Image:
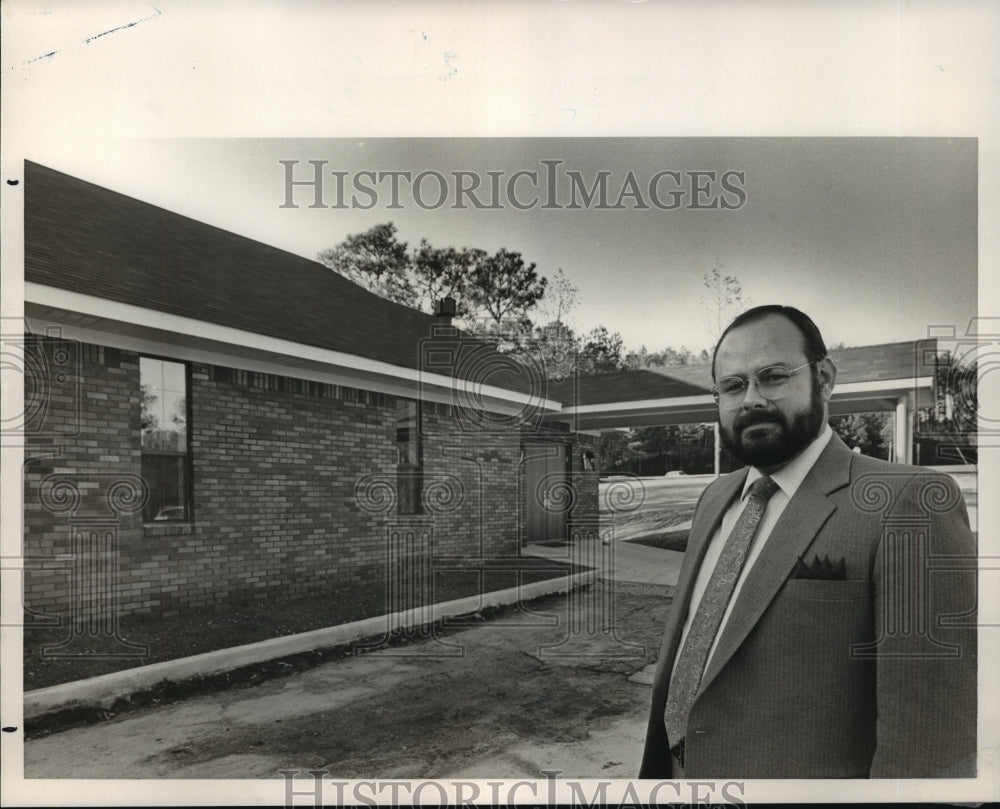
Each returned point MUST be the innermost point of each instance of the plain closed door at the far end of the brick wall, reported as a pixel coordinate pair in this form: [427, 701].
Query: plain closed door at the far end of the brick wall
[546, 492]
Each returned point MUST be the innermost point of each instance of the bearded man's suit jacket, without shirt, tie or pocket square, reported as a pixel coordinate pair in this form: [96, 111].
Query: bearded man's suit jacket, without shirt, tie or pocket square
[872, 676]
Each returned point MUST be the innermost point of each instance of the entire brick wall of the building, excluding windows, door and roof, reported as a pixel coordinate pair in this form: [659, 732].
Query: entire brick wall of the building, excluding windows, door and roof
[293, 490]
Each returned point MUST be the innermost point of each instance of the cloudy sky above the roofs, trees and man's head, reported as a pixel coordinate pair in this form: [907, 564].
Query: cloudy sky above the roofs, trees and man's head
[875, 237]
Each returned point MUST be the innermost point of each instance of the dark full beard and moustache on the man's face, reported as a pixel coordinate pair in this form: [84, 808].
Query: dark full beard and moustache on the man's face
[776, 448]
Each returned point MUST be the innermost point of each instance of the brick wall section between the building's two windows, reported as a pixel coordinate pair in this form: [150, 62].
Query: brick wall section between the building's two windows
[275, 466]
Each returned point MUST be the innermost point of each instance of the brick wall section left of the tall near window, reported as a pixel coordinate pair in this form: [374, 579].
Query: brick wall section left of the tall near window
[81, 470]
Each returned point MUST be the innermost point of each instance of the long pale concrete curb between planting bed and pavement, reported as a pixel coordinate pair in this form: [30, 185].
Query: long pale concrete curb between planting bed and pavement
[103, 690]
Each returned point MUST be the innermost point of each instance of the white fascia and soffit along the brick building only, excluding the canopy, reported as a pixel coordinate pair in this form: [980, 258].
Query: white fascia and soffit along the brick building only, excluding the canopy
[93, 319]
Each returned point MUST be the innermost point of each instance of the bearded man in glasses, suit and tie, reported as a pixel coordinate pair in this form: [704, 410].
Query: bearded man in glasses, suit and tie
[823, 620]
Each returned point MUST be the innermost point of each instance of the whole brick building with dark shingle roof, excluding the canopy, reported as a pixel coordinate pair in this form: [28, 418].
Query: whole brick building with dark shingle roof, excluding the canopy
[210, 418]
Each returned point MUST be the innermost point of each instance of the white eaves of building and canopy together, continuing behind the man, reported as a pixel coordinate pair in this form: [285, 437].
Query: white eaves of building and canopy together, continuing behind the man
[93, 319]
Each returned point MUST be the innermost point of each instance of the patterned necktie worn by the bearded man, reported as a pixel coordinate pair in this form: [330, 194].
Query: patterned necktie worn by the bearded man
[708, 617]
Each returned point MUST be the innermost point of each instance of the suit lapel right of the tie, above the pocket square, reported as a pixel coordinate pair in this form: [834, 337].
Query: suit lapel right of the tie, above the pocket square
[795, 530]
